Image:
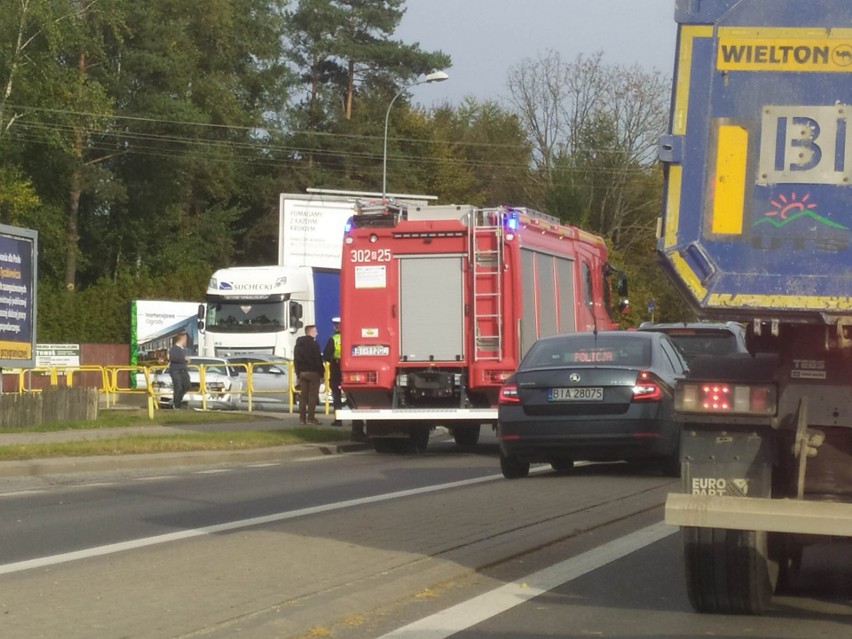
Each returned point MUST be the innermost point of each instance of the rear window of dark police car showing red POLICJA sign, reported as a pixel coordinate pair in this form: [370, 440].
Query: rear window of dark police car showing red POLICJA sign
[588, 351]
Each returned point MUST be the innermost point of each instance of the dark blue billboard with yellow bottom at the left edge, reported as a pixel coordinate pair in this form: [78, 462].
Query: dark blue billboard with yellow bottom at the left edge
[18, 273]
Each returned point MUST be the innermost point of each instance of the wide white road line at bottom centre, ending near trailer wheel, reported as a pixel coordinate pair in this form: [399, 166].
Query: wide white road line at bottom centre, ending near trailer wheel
[490, 604]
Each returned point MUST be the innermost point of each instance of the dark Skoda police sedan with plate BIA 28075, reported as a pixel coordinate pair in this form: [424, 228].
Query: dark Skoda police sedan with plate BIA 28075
[601, 396]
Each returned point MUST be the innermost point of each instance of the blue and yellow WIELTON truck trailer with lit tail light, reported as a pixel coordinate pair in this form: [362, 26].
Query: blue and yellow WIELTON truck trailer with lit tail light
[756, 227]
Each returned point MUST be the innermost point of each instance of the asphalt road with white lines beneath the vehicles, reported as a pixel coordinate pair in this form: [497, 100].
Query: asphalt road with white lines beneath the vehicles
[361, 546]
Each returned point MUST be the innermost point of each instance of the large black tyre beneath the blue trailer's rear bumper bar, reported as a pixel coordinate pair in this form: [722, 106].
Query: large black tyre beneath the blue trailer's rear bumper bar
[728, 571]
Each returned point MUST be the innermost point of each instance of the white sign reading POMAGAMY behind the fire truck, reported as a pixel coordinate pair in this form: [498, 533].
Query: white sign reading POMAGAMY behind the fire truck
[311, 231]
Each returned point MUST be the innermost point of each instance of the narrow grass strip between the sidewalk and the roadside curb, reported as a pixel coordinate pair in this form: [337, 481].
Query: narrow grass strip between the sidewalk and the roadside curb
[188, 442]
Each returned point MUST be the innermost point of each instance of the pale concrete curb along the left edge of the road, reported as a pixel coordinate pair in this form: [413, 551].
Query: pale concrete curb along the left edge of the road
[66, 465]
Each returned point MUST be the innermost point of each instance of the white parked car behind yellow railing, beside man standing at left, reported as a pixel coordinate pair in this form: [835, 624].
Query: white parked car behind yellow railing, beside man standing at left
[222, 381]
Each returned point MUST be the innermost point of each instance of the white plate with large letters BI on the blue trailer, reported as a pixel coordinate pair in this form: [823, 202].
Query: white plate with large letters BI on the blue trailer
[805, 144]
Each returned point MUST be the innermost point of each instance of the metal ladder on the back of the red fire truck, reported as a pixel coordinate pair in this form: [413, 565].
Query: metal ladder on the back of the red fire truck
[485, 244]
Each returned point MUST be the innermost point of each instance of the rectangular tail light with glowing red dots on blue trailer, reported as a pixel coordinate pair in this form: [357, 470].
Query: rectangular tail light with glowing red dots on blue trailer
[725, 397]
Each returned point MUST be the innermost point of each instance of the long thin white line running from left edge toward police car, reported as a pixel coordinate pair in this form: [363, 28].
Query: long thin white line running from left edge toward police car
[99, 551]
